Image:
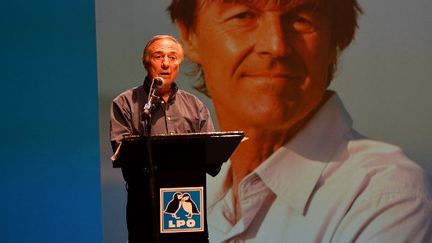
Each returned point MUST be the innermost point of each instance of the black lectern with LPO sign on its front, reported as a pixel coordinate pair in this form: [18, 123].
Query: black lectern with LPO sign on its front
[167, 202]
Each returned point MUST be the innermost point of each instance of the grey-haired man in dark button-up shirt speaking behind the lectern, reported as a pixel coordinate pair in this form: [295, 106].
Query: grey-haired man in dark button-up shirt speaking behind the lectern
[169, 109]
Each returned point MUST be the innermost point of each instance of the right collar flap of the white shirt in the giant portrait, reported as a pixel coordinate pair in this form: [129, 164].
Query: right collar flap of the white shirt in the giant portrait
[293, 171]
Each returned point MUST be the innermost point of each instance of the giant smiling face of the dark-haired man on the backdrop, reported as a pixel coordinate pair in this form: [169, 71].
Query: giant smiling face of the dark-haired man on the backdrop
[263, 63]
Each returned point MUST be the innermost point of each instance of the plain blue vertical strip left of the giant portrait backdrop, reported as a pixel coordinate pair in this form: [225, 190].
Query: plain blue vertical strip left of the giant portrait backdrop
[49, 151]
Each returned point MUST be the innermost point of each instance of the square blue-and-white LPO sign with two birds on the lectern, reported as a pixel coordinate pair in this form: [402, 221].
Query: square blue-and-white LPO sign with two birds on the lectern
[182, 209]
